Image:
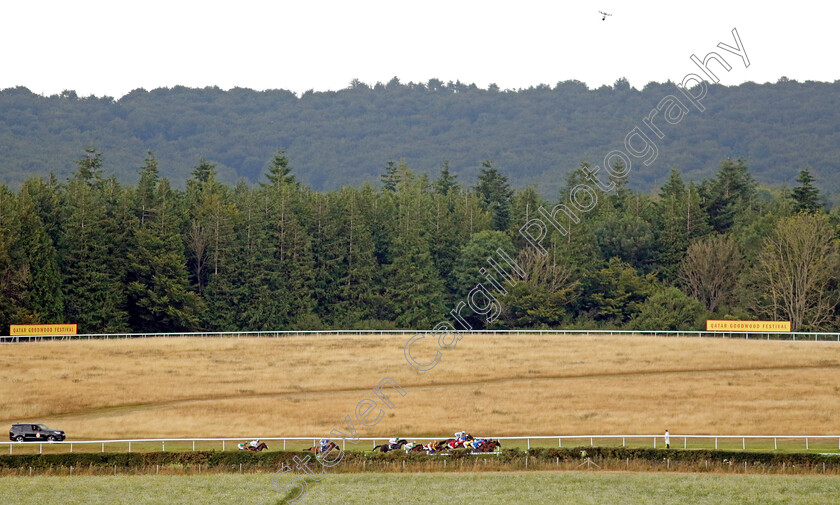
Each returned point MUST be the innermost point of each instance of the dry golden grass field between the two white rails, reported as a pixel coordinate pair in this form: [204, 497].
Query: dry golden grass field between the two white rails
[498, 385]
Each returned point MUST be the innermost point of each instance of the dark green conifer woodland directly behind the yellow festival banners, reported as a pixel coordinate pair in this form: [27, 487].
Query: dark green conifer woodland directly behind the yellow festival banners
[147, 257]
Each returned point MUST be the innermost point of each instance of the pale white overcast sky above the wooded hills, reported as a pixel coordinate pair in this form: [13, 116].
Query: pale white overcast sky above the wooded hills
[110, 48]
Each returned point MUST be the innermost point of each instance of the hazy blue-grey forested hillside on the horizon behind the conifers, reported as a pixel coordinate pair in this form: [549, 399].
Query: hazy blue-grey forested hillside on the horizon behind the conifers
[538, 135]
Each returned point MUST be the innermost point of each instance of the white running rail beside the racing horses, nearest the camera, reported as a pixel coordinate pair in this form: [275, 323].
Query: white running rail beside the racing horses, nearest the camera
[653, 438]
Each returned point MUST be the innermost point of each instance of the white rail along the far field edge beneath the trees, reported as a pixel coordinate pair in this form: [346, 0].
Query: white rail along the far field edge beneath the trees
[810, 336]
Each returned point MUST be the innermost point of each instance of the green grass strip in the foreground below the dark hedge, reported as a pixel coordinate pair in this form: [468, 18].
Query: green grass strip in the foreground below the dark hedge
[450, 489]
